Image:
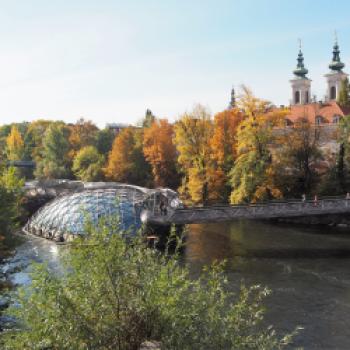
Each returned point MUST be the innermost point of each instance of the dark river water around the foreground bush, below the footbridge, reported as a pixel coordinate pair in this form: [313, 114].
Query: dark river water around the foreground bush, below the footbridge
[307, 269]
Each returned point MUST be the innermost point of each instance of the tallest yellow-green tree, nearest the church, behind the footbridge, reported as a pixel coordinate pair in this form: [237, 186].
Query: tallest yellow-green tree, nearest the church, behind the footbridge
[251, 177]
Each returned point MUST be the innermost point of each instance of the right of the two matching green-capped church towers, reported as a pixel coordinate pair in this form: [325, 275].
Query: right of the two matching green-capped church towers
[336, 74]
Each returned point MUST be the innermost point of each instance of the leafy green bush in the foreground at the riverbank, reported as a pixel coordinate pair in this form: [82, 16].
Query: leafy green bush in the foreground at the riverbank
[118, 293]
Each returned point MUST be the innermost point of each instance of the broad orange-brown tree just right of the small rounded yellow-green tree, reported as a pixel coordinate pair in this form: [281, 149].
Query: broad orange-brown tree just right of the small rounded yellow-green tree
[126, 161]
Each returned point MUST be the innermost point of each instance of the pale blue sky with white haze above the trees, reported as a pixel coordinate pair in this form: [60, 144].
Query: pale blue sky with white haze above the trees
[108, 61]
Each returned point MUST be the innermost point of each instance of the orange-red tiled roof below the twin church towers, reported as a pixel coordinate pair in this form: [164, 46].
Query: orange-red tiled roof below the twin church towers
[325, 110]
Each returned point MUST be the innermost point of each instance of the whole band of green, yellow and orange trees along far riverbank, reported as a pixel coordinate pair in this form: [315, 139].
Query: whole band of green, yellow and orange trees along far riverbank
[242, 154]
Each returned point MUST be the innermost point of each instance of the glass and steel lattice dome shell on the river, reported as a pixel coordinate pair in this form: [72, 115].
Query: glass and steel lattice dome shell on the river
[68, 214]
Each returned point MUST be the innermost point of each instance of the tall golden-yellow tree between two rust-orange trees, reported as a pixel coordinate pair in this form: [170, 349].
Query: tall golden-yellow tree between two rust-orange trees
[193, 133]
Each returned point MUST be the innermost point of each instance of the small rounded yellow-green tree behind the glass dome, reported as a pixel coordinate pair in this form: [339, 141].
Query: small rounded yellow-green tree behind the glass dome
[87, 164]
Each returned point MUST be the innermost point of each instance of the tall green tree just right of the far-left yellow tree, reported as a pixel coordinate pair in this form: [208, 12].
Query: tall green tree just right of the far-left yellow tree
[54, 161]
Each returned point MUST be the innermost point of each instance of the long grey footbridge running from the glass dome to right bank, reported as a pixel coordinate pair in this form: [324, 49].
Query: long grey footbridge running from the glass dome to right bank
[330, 206]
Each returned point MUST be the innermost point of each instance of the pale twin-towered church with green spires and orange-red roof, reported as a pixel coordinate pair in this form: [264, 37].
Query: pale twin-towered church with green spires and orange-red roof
[319, 113]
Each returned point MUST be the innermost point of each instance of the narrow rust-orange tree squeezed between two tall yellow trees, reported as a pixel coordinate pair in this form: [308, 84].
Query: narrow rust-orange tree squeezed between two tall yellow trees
[223, 151]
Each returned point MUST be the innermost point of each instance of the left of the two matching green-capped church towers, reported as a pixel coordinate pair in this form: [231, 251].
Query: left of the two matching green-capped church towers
[301, 84]
